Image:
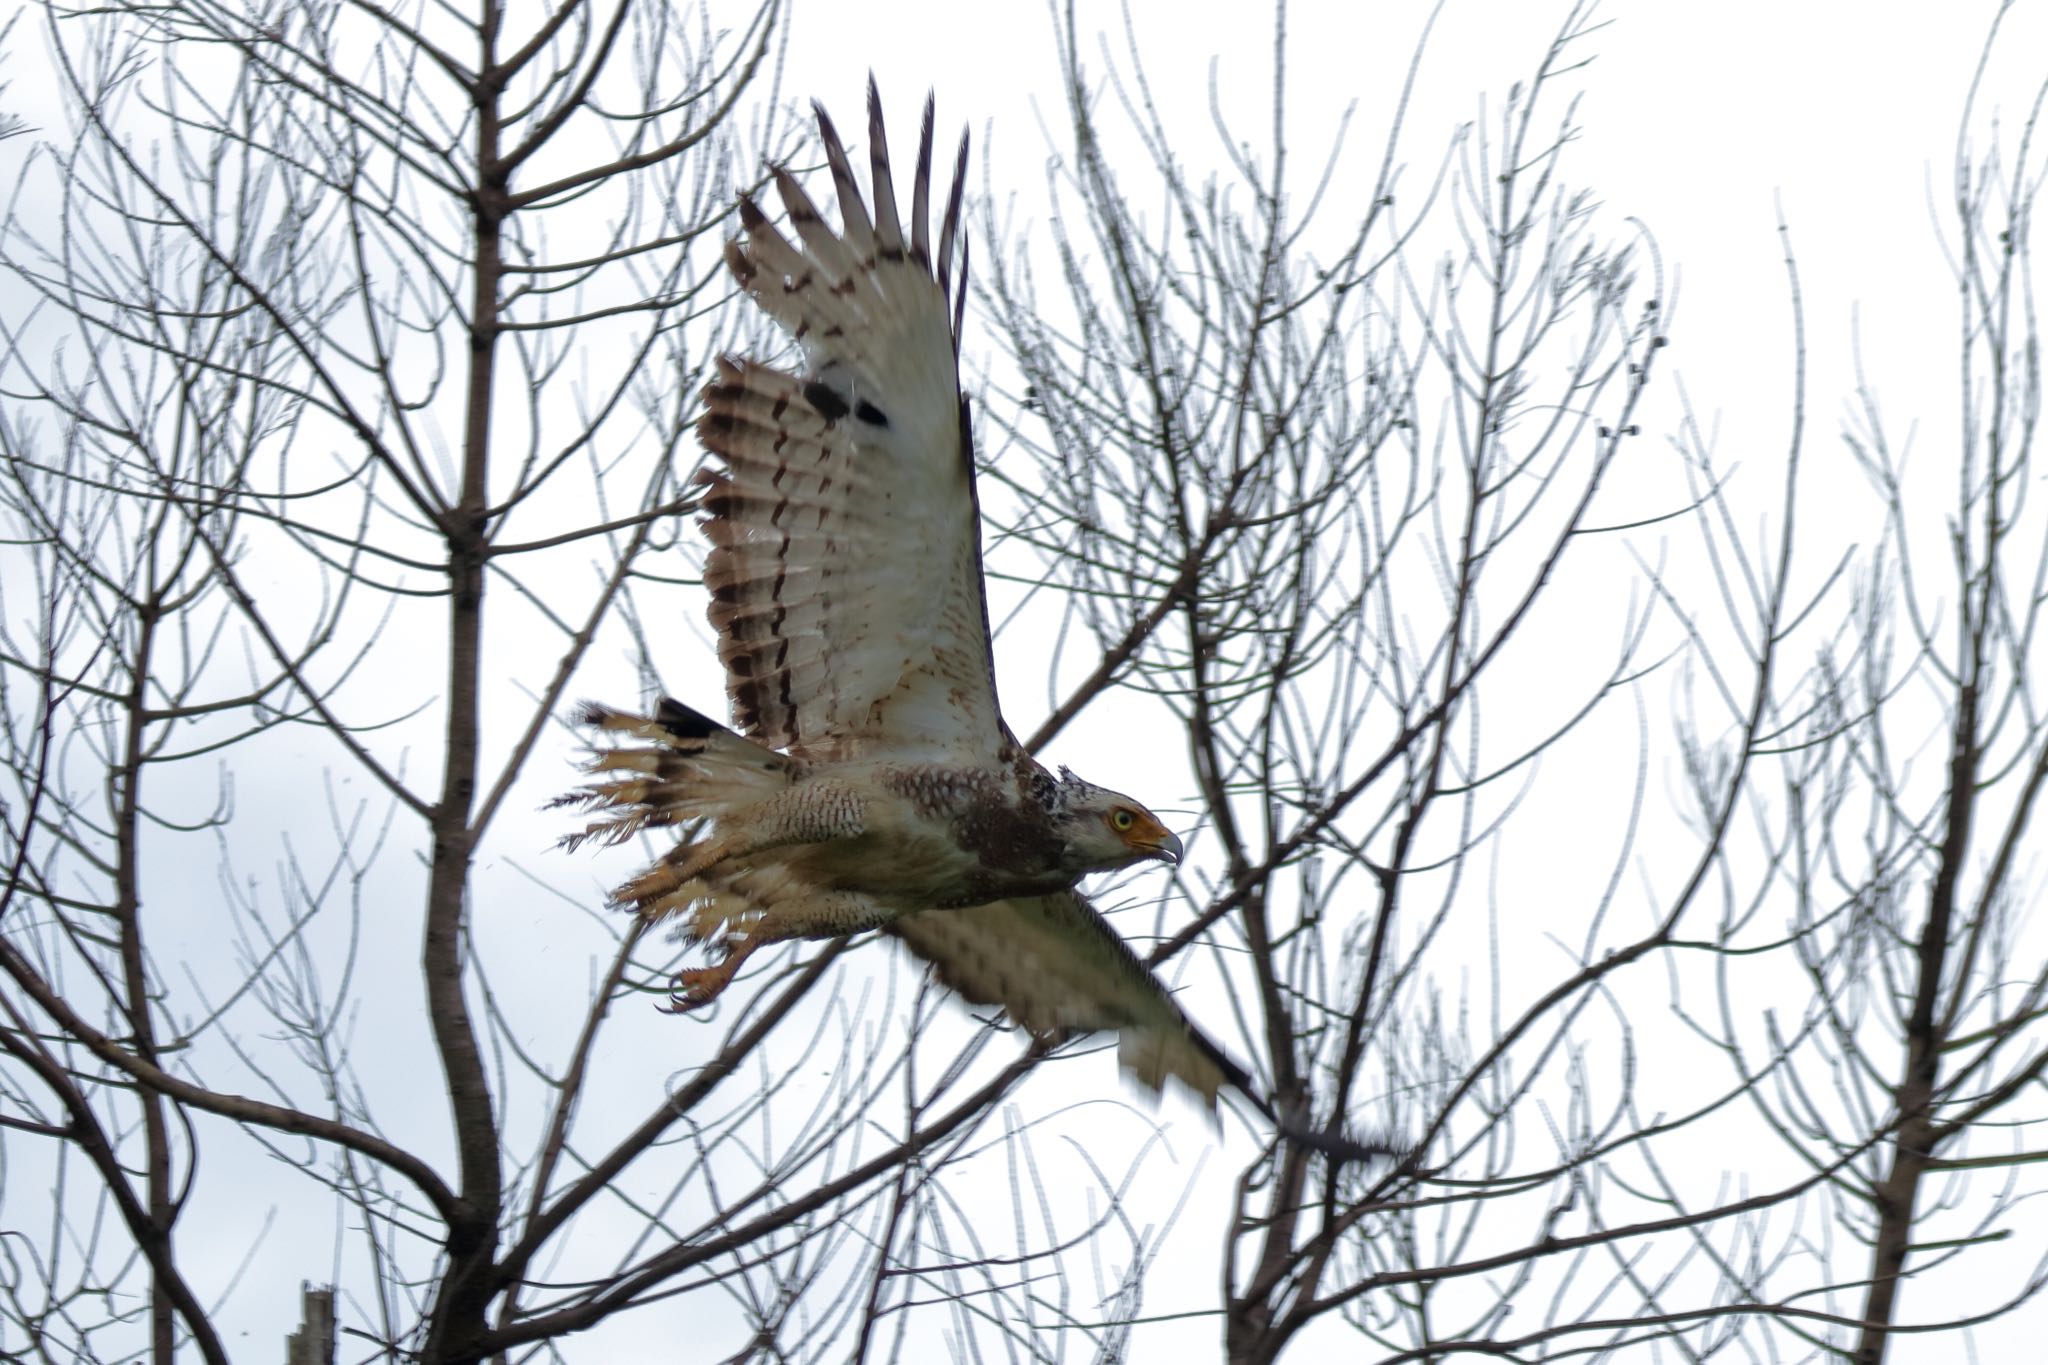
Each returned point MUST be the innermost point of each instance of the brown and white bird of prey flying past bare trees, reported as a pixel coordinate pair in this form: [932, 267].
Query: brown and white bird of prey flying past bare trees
[871, 781]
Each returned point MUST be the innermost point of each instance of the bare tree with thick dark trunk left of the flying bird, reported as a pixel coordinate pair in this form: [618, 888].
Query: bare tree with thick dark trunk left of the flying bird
[347, 406]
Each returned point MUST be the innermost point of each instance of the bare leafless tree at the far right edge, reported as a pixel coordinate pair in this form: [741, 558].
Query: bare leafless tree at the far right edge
[1912, 809]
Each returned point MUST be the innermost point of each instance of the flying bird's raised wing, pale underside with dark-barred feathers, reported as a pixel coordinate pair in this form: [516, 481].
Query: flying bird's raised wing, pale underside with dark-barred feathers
[847, 552]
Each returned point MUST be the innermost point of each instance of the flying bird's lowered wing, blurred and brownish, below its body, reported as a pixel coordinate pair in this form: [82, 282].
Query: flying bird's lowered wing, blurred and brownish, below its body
[1058, 967]
